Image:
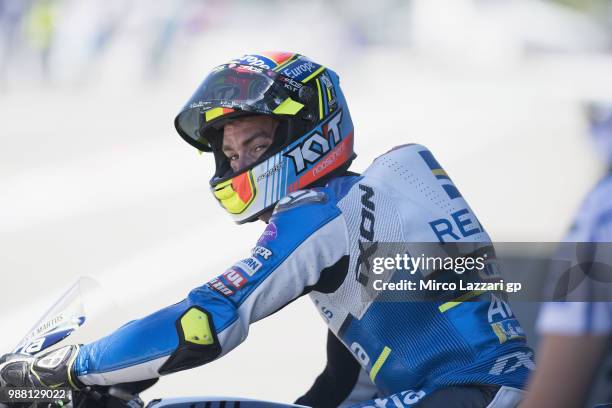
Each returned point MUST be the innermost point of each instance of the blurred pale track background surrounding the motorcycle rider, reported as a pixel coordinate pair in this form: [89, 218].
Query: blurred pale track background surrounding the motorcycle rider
[94, 180]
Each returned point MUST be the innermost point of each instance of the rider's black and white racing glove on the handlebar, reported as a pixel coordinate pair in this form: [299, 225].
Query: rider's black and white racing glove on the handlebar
[50, 369]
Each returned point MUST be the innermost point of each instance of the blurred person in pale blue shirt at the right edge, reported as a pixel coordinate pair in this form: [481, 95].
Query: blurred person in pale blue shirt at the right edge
[577, 334]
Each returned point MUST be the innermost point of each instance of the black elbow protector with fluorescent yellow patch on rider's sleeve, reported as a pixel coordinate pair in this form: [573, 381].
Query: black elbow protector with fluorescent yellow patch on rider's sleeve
[198, 343]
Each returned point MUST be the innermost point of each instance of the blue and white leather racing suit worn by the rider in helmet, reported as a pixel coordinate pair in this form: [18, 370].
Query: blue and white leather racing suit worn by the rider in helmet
[313, 245]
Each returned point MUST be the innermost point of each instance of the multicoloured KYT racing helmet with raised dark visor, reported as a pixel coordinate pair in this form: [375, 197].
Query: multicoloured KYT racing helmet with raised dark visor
[313, 139]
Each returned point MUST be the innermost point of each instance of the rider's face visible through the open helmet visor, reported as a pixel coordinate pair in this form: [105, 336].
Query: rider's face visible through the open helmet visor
[246, 139]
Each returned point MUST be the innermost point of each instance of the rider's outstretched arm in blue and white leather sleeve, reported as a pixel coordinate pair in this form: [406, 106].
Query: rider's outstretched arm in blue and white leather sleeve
[298, 244]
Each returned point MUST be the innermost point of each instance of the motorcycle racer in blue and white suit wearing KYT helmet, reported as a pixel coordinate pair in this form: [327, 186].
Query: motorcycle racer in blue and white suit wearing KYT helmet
[280, 131]
